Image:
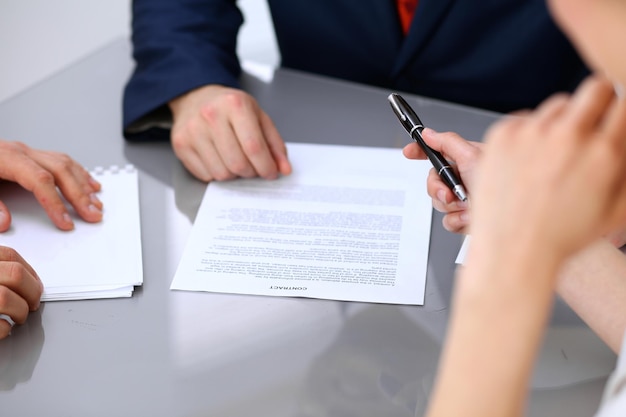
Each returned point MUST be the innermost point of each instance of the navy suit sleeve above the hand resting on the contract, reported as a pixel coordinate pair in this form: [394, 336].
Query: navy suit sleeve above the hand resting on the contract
[178, 45]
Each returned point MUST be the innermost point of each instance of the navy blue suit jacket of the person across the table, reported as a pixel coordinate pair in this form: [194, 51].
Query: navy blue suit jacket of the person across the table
[500, 55]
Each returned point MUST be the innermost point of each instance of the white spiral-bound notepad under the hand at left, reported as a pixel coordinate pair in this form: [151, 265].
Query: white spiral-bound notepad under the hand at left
[95, 260]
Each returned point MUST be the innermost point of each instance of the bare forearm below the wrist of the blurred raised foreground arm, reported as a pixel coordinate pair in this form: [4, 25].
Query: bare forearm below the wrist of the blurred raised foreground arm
[500, 308]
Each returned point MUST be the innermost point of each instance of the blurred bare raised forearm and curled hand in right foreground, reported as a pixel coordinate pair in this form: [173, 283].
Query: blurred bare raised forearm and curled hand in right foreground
[539, 198]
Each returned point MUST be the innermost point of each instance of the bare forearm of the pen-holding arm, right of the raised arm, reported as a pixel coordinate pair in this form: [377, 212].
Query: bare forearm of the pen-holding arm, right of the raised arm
[593, 284]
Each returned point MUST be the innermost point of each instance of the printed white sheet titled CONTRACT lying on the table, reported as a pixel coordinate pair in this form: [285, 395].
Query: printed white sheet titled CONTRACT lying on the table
[350, 223]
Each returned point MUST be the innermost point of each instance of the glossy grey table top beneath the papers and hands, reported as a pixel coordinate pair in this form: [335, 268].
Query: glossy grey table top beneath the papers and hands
[164, 353]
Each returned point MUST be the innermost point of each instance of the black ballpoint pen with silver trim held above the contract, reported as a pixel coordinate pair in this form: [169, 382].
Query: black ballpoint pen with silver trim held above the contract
[414, 127]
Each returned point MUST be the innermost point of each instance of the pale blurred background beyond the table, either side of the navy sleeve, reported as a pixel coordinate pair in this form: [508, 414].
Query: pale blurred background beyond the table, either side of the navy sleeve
[41, 37]
